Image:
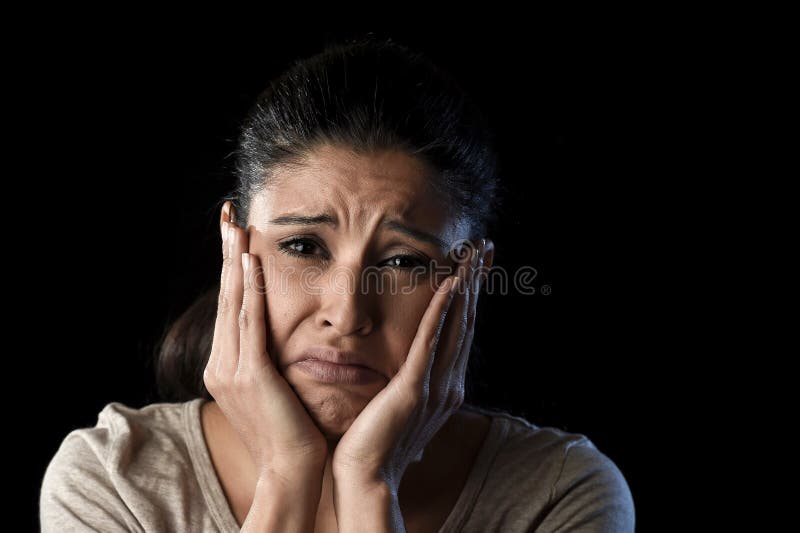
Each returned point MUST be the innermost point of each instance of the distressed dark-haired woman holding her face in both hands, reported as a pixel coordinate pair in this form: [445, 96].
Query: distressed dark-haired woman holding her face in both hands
[328, 392]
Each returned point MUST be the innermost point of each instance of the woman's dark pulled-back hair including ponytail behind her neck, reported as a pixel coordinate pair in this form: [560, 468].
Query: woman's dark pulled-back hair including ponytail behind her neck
[365, 95]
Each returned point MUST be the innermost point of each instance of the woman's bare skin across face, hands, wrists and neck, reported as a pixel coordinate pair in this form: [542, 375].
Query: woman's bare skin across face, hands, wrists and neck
[343, 438]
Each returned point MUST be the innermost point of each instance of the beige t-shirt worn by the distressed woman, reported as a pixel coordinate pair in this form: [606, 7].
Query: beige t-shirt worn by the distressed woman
[149, 470]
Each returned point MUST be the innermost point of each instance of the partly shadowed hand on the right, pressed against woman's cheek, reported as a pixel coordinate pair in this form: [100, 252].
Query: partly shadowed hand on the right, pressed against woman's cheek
[396, 425]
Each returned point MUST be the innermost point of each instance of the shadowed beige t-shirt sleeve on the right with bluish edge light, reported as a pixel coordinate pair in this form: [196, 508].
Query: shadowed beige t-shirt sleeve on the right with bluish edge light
[590, 495]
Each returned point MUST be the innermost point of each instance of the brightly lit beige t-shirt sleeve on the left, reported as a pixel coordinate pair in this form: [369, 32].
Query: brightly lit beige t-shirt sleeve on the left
[77, 493]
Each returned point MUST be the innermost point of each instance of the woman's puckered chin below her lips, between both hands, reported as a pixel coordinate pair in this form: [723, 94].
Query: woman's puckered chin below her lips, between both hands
[333, 408]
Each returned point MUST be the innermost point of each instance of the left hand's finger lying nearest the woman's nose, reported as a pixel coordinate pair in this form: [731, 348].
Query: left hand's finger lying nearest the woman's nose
[252, 324]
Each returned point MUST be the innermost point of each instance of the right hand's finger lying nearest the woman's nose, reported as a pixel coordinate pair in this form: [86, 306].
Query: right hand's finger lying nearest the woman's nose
[416, 369]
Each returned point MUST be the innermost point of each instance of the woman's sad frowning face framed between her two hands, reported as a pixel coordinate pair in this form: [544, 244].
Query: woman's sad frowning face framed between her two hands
[316, 288]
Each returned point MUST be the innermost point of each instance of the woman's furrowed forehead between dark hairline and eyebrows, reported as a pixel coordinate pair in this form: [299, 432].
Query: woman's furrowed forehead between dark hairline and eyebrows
[354, 187]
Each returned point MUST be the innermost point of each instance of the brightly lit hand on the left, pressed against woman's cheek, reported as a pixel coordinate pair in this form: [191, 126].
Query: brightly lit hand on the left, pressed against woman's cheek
[255, 398]
